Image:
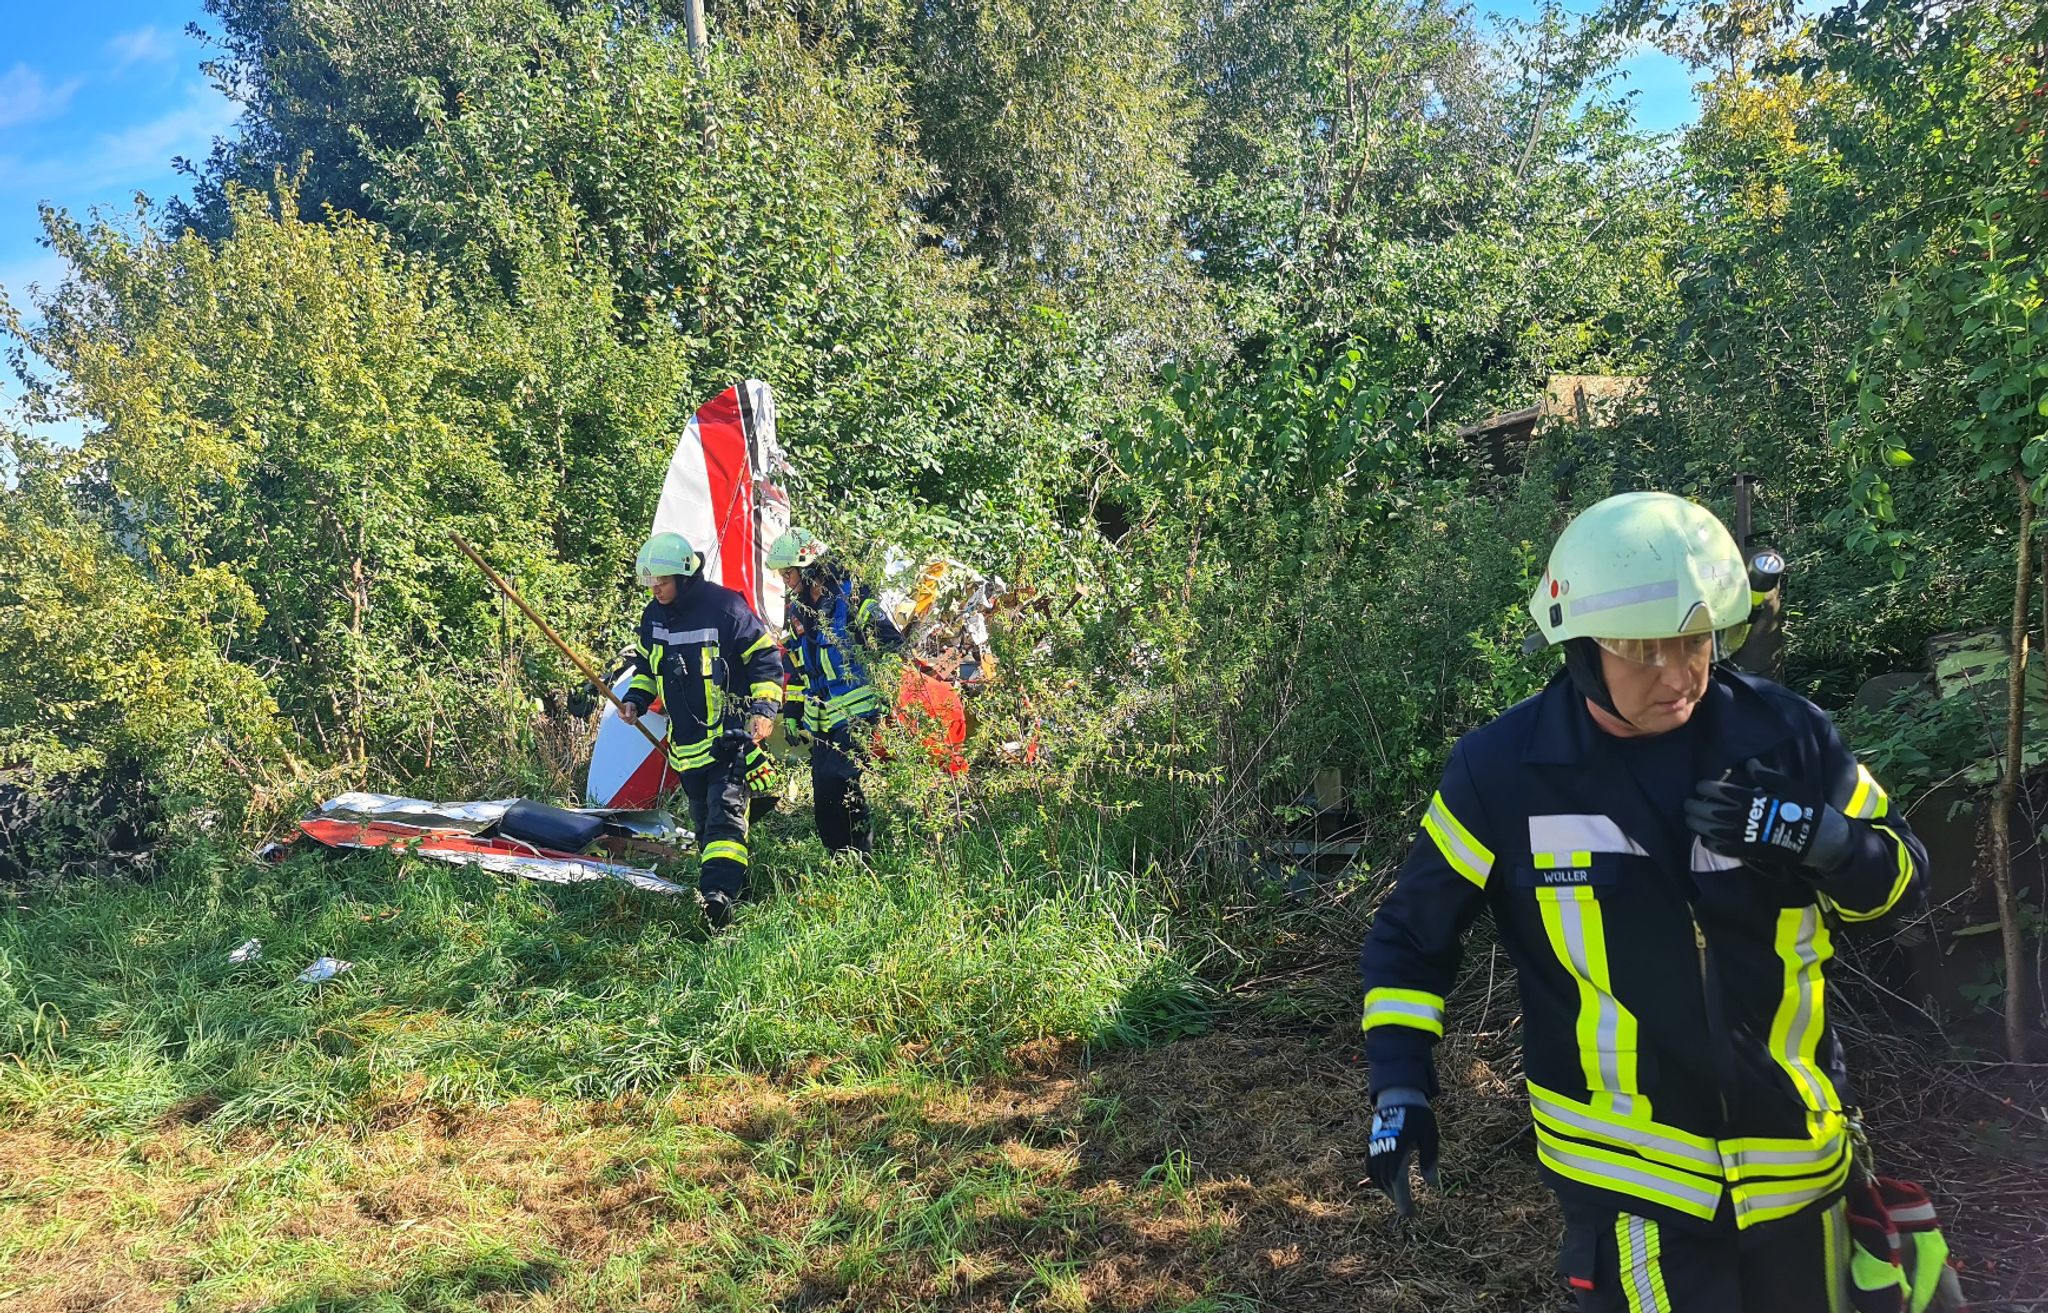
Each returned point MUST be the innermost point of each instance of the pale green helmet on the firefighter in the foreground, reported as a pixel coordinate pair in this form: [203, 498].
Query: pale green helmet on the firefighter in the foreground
[1639, 568]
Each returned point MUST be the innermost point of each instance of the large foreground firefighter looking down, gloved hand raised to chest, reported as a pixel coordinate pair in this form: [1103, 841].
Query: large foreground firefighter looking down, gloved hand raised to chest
[1668, 849]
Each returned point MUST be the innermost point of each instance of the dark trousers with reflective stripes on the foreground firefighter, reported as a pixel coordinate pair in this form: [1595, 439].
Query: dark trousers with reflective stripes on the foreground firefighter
[1629, 1265]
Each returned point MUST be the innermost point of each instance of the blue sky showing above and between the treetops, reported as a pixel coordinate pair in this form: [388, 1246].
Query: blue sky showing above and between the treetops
[97, 101]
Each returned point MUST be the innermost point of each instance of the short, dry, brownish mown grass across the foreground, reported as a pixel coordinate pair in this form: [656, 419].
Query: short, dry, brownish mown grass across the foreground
[1211, 1175]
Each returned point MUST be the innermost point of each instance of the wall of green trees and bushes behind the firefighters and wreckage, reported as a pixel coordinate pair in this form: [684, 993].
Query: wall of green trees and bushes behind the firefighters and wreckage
[1222, 282]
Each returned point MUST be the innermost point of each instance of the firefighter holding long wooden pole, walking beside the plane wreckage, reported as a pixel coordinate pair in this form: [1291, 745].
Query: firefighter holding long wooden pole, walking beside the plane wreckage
[720, 677]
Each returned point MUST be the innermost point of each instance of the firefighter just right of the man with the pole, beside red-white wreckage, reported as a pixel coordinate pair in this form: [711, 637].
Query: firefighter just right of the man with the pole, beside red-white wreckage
[830, 622]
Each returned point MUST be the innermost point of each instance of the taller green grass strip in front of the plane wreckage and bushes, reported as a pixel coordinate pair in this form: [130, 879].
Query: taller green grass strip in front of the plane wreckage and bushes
[120, 1007]
